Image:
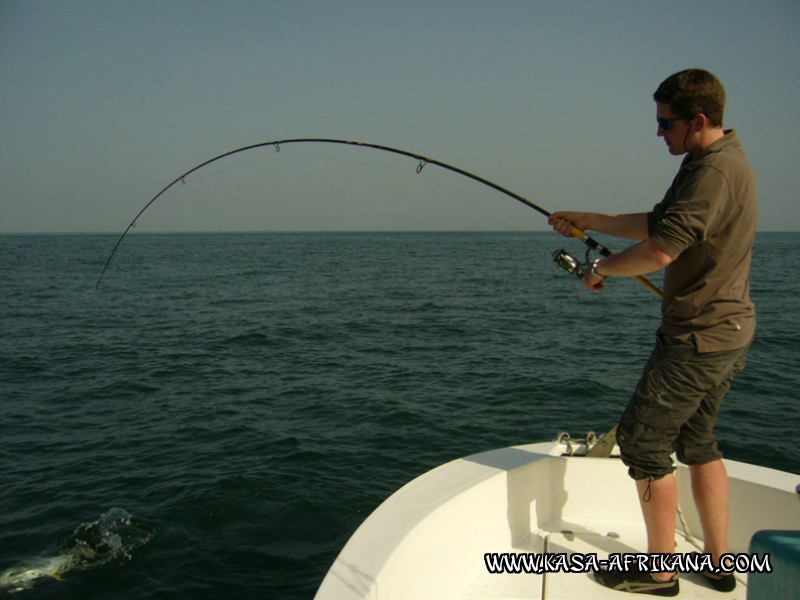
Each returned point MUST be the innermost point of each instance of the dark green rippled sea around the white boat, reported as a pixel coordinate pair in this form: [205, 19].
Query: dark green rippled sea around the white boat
[222, 413]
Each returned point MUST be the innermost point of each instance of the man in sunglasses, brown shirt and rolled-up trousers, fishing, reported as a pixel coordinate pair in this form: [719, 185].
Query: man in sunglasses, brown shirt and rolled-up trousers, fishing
[702, 232]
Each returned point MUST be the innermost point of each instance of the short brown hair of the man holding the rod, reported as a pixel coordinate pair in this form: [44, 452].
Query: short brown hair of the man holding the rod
[692, 92]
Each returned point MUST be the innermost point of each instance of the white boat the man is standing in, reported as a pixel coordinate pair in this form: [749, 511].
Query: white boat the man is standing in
[431, 538]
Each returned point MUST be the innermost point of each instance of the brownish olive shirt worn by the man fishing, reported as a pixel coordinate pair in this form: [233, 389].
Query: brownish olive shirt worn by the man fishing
[706, 223]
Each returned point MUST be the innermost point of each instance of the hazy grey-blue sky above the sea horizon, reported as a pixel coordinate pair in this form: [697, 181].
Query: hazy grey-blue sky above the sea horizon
[104, 102]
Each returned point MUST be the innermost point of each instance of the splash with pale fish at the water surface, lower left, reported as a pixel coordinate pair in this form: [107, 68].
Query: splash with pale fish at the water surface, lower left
[113, 537]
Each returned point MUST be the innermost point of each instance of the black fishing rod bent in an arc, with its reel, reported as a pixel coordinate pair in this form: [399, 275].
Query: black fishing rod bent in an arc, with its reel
[561, 257]
